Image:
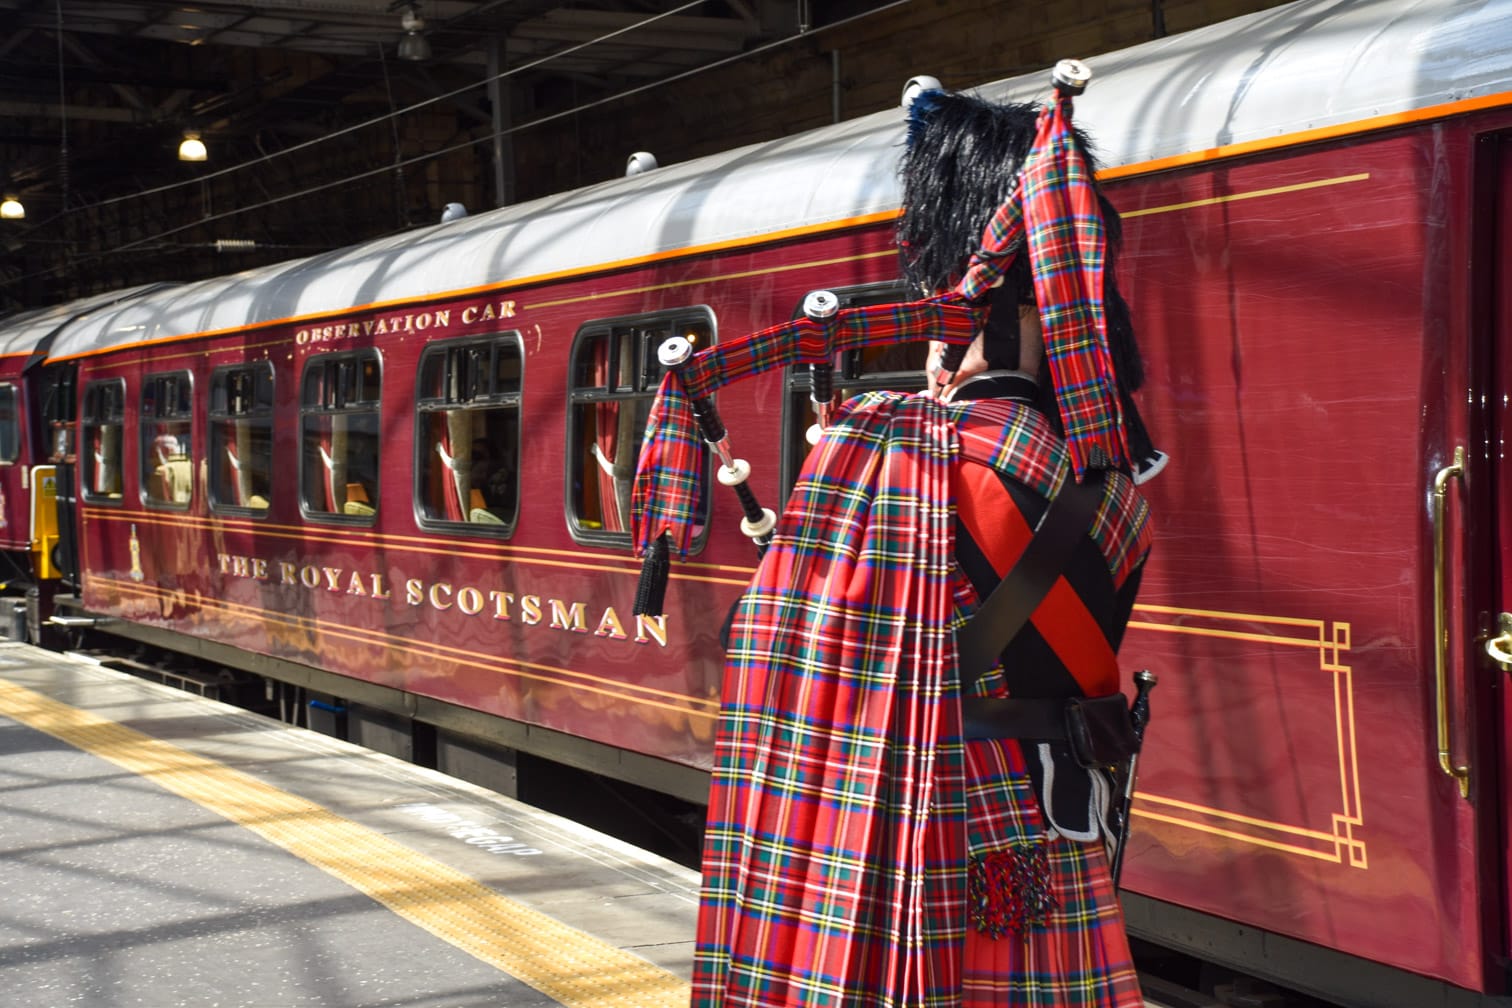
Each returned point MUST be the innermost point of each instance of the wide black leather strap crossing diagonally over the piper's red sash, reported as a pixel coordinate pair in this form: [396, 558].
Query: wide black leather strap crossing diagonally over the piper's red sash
[1070, 516]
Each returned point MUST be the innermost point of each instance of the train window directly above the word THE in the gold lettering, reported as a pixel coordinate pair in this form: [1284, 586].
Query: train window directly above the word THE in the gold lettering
[243, 439]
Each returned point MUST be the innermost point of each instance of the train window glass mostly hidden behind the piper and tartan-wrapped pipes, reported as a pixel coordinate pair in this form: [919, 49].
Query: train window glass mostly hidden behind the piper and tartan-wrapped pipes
[897, 368]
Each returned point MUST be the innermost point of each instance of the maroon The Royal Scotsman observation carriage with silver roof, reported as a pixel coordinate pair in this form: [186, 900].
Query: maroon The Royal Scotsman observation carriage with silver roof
[398, 474]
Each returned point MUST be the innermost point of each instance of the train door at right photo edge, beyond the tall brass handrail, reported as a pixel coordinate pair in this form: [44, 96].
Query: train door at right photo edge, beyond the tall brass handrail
[1493, 658]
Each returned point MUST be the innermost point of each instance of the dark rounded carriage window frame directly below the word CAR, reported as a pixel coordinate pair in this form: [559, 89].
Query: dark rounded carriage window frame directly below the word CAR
[468, 388]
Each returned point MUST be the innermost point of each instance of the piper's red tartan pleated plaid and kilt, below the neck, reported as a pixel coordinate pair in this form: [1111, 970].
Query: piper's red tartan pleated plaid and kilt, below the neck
[844, 805]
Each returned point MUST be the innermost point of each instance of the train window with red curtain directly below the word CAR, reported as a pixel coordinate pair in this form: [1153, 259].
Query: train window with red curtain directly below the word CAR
[468, 438]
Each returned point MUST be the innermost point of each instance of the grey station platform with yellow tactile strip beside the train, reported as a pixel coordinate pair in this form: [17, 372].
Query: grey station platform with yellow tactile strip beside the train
[163, 850]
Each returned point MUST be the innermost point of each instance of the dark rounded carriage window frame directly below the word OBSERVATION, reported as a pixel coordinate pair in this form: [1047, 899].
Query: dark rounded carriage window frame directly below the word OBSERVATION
[342, 398]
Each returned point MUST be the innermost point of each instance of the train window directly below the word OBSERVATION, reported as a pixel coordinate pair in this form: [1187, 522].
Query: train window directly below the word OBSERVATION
[339, 438]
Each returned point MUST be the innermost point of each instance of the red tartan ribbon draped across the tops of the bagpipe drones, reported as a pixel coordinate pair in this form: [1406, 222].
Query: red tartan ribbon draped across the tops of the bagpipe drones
[1053, 212]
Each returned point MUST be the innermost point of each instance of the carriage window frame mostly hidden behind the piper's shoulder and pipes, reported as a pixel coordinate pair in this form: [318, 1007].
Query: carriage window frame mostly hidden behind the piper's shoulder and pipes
[850, 379]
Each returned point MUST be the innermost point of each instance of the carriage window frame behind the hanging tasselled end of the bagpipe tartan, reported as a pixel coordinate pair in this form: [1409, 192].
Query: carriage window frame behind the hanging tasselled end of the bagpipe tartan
[636, 383]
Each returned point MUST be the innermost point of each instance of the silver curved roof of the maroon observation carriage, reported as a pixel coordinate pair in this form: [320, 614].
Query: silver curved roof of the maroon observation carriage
[1303, 67]
